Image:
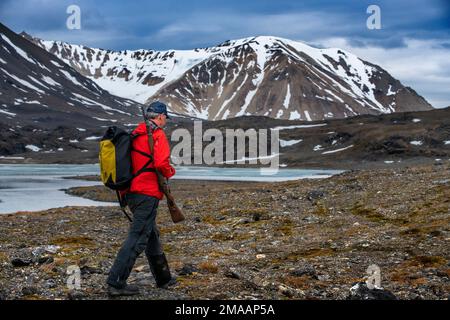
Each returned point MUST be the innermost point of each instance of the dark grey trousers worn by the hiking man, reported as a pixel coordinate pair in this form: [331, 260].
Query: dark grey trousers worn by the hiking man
[143, 235]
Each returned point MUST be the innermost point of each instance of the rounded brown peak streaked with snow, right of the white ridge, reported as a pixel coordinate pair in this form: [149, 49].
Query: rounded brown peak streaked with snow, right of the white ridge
[284, 79]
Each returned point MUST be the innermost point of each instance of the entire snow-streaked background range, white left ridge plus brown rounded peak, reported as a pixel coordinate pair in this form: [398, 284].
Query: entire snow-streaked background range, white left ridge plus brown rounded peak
[268, 76]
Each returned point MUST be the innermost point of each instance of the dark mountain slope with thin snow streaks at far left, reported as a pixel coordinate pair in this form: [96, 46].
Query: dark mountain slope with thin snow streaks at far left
[37, 87]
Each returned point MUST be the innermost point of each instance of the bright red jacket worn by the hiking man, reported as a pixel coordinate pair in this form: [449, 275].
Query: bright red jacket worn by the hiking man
[147, 182]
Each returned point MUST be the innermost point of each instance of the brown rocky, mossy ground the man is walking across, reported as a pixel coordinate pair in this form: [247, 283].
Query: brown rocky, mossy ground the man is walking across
[306, 239]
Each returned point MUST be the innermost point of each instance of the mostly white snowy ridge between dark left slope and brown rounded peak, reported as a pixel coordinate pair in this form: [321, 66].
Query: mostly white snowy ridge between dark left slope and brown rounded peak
[135, 75]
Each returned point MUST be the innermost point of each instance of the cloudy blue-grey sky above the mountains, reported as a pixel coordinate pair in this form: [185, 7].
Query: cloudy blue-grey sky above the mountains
[413, 43]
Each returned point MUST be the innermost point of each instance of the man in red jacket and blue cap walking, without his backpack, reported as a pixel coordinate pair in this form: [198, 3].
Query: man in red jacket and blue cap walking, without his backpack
[143, 198]
